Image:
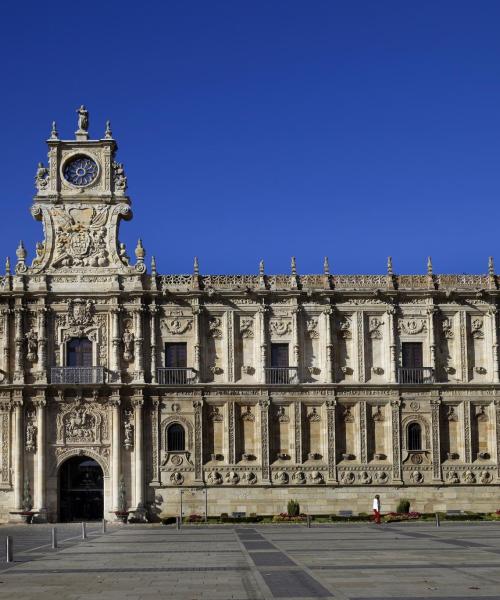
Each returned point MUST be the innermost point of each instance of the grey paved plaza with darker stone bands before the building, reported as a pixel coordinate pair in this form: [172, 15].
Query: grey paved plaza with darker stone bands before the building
[399, 561]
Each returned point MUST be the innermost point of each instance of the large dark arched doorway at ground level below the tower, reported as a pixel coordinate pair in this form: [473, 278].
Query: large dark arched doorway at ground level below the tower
[81, 490]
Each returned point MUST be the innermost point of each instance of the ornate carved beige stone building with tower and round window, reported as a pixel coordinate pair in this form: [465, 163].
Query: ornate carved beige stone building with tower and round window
[123, 389]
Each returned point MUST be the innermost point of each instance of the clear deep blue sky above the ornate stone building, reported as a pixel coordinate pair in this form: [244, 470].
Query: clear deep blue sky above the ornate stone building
[254, 129]
